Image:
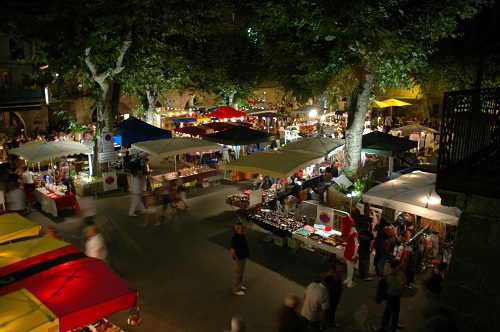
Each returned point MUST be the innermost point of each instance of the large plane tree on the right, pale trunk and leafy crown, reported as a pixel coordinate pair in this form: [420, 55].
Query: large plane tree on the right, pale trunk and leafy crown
[347, 47]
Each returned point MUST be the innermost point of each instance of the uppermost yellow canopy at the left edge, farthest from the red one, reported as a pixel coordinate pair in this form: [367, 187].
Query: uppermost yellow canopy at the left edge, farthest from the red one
[14, 226]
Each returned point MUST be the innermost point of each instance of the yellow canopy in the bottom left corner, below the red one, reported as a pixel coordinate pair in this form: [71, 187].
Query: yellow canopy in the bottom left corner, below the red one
[22, 311]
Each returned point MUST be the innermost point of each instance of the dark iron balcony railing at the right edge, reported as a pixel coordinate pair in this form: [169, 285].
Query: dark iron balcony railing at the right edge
[469, 160]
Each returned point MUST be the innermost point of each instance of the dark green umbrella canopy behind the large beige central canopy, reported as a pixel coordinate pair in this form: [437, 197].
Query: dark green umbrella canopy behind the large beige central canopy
[240, 135]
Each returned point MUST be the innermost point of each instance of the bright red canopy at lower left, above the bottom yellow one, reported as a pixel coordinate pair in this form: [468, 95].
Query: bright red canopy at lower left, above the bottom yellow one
[84, 293]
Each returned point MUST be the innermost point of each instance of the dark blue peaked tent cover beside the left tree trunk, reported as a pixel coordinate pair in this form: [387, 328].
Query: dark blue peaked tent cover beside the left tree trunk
[134, 130]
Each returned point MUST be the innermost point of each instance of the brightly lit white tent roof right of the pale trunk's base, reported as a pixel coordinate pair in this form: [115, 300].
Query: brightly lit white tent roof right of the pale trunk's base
[414, 193]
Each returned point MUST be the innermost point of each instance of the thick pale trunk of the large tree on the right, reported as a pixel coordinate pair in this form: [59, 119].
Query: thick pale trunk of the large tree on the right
[354, 133]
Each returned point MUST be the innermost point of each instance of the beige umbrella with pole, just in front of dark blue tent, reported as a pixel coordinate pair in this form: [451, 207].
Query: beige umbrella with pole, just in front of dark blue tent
[175, 146]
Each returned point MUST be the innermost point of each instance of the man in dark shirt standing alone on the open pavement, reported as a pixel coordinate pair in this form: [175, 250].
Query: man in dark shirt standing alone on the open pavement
[240, 253]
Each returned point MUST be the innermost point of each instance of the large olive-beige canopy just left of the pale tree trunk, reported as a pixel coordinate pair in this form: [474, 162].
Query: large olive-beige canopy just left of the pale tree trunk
[279, 164]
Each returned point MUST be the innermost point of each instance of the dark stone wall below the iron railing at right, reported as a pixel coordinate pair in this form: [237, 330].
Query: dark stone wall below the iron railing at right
[472, 284]
